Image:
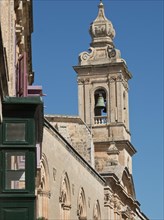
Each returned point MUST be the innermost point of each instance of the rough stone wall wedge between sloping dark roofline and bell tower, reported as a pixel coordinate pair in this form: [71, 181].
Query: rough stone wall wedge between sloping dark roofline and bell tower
[76, 132]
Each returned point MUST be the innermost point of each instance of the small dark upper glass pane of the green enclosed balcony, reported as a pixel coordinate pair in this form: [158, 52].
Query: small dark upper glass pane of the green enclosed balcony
[15, 131]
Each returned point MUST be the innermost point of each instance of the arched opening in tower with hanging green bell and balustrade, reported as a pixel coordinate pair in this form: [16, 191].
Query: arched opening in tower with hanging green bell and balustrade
[100, 108]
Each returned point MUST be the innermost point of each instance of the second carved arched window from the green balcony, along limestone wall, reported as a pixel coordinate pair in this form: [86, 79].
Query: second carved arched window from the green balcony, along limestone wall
[65, 197]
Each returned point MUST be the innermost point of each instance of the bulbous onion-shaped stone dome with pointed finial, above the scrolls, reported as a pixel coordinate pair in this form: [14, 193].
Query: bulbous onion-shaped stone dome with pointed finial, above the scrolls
[101, 29]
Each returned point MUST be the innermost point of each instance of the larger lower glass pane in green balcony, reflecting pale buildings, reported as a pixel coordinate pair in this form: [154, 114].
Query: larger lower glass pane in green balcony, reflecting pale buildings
[15, 170]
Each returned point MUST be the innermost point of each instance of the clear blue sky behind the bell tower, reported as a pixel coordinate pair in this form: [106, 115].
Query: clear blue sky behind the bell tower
[61, 33]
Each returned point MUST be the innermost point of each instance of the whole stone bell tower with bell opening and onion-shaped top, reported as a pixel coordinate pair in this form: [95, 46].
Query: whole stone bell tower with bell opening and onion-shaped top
[103, 96]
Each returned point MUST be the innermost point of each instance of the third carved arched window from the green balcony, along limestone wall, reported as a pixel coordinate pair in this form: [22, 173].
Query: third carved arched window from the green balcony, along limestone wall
[81, 206]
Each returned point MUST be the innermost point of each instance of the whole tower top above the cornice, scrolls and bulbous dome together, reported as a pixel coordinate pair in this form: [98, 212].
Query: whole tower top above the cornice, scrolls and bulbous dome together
[102, 49]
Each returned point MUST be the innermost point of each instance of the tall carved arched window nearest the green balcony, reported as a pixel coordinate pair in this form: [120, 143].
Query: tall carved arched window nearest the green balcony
[43, 190]
